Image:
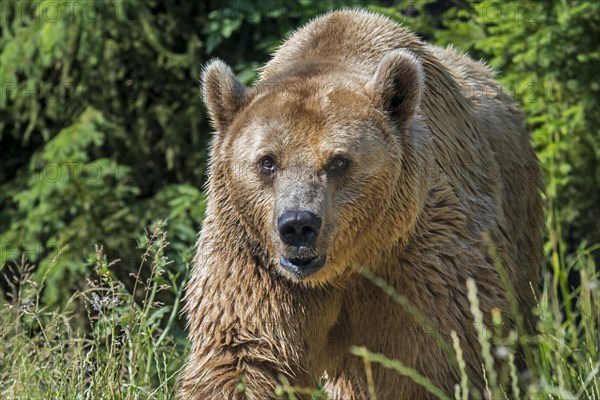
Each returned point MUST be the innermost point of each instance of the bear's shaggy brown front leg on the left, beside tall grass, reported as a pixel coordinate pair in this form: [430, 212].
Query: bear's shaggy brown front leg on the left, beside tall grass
[246, 329]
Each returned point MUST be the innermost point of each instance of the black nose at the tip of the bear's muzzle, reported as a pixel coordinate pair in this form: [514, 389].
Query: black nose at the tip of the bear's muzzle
[299, 228]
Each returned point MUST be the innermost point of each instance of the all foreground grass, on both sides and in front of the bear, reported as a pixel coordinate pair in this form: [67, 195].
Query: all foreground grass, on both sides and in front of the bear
[123, 348]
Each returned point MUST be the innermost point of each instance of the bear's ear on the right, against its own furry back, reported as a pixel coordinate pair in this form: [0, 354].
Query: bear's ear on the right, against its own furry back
[398, 85]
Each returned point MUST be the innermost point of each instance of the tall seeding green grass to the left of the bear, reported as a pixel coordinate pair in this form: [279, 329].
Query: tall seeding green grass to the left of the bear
[120, 348]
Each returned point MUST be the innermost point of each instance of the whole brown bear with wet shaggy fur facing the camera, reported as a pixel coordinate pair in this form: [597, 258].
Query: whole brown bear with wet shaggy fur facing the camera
[360, 148]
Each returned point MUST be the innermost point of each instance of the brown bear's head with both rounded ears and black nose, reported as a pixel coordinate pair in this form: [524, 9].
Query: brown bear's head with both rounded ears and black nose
[318, 168]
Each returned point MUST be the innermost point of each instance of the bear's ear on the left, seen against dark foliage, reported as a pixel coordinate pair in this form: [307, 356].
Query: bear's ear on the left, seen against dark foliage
[224, 95]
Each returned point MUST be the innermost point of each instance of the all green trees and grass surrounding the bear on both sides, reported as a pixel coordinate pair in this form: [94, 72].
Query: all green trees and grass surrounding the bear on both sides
[103, 142]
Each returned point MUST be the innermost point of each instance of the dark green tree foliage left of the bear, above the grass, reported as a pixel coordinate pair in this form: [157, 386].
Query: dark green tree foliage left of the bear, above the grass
[103, 129]
